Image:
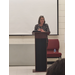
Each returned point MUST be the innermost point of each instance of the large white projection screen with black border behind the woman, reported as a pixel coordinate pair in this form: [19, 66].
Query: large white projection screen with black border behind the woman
[24, 14]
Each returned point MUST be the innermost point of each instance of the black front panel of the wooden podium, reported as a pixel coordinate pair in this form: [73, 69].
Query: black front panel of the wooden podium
[40, 52]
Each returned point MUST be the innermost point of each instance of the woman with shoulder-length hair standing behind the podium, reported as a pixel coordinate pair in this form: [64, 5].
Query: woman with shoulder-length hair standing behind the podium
[41, 26]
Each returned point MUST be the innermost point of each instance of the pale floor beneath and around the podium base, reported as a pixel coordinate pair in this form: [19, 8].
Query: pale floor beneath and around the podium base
[24, 70]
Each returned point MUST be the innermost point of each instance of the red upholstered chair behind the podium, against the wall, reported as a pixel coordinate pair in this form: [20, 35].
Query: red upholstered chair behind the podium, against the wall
[53, 44]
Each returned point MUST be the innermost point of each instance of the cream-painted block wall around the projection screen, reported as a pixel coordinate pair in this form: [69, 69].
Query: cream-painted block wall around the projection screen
[61, 36]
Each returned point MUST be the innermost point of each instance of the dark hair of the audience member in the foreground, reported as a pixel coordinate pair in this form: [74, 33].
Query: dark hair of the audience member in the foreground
[57, 68]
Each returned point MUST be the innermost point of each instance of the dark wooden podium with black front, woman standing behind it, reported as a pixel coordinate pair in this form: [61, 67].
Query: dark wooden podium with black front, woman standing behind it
[40, 51]
